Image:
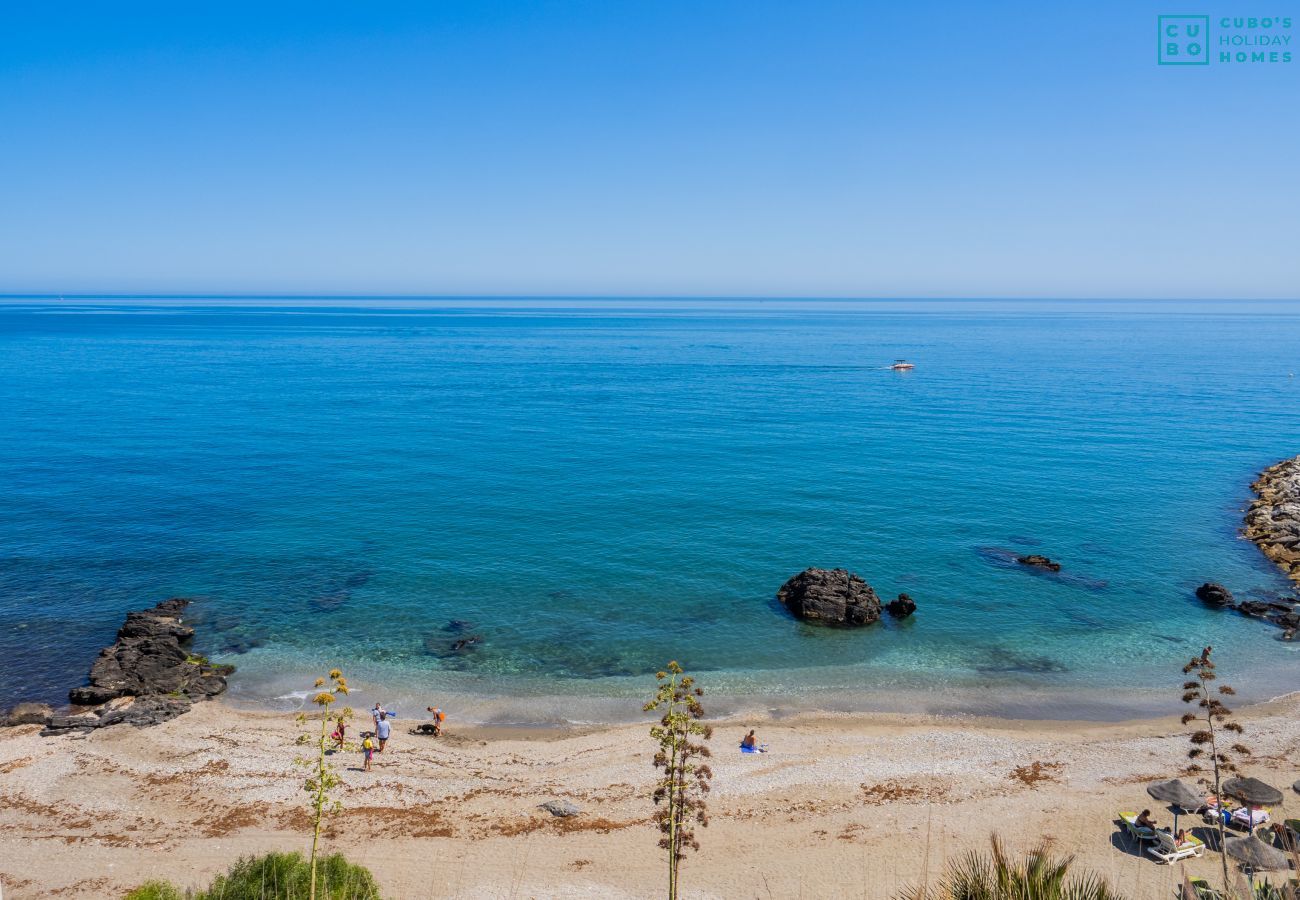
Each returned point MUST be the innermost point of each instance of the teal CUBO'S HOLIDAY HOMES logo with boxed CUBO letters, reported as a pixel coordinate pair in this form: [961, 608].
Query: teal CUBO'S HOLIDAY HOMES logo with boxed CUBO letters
[1237, 40]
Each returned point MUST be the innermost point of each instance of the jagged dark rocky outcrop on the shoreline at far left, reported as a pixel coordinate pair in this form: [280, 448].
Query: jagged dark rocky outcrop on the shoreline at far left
[146, 677]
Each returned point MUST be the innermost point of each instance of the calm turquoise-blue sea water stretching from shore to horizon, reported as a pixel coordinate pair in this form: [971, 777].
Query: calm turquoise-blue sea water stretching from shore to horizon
[599, 487]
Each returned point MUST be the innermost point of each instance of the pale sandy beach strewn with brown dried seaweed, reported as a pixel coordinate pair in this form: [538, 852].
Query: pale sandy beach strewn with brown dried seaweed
[853, 807]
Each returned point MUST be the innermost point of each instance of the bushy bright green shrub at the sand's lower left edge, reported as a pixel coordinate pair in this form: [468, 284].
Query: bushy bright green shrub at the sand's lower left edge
[289, 876]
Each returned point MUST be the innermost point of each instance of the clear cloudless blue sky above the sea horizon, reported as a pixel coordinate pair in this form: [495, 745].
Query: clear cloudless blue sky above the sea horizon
[640, 148]
